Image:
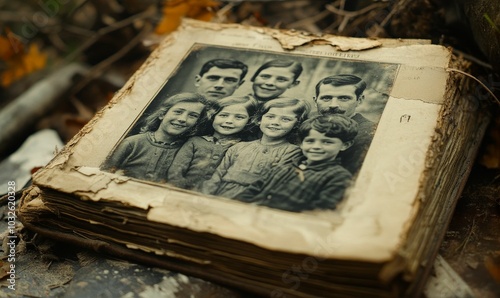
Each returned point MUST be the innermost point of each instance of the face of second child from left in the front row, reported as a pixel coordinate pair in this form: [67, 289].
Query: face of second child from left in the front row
[230, 120]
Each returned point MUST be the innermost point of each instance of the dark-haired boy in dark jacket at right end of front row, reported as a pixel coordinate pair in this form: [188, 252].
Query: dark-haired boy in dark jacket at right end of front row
[316, 180]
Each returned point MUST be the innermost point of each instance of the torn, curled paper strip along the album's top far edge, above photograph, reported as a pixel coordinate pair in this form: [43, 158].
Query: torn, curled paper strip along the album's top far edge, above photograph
[289, 40]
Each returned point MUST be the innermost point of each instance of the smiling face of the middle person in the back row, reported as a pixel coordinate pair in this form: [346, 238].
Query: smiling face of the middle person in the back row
[272, 82]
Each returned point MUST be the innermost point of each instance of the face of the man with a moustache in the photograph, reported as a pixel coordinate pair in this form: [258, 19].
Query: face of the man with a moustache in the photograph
[337, 100]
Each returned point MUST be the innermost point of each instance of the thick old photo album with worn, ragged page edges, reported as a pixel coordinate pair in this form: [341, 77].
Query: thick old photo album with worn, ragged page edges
[278, 162]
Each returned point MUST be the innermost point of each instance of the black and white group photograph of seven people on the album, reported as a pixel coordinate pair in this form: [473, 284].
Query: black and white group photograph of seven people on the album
[285, 131]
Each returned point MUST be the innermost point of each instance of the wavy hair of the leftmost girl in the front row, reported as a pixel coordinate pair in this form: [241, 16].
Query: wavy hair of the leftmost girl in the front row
[152, 122]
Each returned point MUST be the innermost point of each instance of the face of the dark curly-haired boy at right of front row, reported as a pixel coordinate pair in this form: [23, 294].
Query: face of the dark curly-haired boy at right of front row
[317, 147]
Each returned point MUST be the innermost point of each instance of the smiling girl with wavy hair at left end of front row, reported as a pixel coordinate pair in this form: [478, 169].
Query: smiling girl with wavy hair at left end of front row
[148, 155]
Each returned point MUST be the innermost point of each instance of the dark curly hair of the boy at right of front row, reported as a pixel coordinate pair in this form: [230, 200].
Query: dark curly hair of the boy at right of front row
[333, 126]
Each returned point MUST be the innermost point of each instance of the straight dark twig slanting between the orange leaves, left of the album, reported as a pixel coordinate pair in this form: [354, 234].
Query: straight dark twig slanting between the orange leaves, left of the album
[99, 68]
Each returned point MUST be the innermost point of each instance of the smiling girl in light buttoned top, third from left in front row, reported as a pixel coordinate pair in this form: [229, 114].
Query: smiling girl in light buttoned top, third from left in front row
[246, 162]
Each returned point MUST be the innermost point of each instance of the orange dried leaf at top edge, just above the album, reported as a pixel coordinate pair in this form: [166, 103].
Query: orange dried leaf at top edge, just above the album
[174, 11]
